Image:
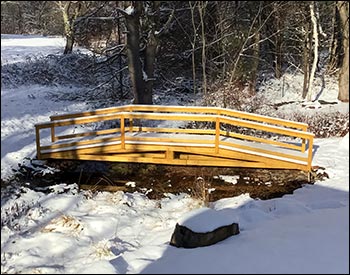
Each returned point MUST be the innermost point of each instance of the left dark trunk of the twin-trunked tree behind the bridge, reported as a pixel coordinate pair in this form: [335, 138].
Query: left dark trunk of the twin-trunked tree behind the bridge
[133, 52]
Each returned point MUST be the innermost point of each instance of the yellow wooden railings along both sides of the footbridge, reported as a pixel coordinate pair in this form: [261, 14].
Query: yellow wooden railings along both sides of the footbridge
[219, 121]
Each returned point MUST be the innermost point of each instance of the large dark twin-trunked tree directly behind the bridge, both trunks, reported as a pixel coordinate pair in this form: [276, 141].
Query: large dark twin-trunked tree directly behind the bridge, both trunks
[142, 73]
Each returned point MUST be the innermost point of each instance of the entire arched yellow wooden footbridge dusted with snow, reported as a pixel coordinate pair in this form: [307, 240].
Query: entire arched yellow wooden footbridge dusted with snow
[148, 134]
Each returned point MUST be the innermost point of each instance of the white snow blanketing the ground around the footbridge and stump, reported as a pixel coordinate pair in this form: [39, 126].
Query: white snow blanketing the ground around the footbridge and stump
[67, 231]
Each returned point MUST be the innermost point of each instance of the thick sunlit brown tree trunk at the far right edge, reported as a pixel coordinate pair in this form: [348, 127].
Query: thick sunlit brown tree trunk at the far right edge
[343, 7]
